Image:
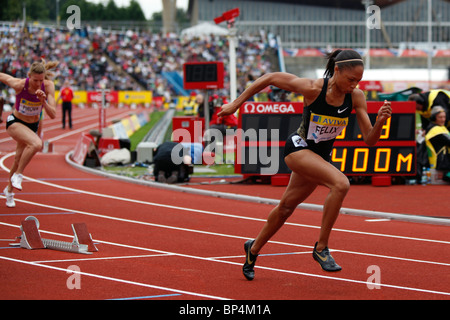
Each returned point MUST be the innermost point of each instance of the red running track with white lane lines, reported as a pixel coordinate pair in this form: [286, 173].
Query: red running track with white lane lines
[158, 244]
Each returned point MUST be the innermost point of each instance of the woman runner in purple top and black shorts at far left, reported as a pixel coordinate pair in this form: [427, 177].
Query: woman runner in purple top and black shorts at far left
[33, 94]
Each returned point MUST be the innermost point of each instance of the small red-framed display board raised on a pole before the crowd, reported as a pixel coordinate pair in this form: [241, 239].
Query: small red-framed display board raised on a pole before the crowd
[203, 75]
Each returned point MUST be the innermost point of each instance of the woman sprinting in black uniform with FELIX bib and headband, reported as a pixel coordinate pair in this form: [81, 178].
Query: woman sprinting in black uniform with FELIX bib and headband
[328, 104]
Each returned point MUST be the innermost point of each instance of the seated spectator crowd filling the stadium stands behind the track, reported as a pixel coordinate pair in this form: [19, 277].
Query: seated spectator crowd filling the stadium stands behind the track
[92, 58]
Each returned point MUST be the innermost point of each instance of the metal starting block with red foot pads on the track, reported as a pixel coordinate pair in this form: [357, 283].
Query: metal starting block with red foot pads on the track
[31, 238]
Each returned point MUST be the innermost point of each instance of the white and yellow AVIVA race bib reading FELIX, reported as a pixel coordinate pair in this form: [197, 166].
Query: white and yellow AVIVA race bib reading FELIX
[323, 128]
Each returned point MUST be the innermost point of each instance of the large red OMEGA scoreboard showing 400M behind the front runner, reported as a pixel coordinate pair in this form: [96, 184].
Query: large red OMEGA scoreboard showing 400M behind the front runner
[394, 154]
